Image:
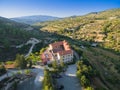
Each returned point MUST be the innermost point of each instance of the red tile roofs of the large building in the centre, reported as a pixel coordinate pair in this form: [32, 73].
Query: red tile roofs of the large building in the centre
[62, 48]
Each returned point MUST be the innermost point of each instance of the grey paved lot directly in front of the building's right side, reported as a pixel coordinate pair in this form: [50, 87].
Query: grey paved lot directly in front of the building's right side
[69, 80]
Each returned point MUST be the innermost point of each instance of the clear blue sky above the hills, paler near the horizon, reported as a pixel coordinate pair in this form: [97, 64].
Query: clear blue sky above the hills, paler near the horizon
[59, 8]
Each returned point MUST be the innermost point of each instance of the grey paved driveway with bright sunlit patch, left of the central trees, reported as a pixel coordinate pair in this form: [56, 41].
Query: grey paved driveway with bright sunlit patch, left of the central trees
[33, 83]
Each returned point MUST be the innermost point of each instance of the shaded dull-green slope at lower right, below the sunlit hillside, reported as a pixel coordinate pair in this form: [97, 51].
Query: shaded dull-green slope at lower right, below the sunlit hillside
[105, 62]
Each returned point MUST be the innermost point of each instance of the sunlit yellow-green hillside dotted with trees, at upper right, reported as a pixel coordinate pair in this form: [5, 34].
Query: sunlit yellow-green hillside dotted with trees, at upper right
[102, 27]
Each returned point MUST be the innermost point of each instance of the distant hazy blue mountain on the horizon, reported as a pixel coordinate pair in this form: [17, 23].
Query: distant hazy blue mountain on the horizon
[34, 19]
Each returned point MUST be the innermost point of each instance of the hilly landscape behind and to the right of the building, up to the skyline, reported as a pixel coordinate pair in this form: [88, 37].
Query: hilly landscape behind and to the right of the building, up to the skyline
[101, 28]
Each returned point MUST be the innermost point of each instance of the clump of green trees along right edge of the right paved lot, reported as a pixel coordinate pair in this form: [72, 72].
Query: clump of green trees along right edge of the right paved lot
[84, 73]
